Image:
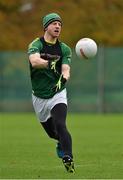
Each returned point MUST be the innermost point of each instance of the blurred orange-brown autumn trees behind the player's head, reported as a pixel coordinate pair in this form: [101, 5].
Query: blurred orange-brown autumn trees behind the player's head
[21, 21]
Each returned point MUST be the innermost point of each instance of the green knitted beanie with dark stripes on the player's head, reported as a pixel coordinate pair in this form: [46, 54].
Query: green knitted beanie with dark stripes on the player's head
[49, 18]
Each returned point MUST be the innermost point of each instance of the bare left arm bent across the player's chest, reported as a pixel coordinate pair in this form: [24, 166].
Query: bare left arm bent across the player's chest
[37, 62]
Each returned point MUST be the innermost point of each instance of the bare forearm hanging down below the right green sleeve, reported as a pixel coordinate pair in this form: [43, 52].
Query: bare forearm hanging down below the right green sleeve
[66, 71]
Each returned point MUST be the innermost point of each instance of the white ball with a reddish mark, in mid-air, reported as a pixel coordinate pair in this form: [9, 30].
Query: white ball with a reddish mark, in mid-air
[86, 48]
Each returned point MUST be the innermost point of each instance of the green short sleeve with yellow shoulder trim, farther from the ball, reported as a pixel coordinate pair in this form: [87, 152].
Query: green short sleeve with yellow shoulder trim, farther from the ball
[35, 46]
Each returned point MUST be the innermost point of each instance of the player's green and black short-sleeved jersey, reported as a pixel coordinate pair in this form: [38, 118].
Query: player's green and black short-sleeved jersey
[44, 80]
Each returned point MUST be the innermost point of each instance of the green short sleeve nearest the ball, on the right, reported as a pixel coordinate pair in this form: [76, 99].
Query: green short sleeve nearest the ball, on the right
[67, 54]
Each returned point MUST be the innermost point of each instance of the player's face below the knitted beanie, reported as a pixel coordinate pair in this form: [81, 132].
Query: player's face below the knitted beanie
[54, 29]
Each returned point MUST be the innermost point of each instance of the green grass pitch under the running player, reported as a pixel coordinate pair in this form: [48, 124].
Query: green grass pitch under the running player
[27, 153]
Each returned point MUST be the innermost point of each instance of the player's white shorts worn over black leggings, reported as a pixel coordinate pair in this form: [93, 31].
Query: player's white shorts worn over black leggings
[43, 107]
